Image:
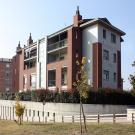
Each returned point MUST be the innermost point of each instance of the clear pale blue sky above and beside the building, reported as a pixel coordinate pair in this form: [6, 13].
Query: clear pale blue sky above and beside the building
[41, 17]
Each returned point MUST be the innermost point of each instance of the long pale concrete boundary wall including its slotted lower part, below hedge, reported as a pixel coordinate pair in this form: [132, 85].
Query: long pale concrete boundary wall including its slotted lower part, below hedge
[37, 112]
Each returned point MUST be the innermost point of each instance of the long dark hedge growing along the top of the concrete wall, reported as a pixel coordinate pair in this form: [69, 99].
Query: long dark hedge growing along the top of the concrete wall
[100, 96]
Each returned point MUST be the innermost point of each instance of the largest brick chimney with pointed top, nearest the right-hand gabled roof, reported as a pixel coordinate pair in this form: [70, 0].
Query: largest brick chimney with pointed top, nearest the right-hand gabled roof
[77, 17]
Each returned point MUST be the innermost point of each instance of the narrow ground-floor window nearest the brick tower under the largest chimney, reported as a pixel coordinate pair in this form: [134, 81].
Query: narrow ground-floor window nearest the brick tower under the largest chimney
[64, 76]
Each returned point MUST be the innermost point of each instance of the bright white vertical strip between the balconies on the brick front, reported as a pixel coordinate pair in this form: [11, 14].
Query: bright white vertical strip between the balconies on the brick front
[41, 63]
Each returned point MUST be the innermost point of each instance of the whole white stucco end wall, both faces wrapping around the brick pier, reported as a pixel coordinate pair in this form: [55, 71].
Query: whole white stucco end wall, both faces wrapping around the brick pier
[94, 34]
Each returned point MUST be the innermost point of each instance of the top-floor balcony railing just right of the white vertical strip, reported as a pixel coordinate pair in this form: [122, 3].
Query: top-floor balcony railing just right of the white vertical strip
[57, 45]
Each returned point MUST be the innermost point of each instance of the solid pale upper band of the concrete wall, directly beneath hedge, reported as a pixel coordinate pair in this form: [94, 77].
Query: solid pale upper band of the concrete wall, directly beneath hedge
[69, 109]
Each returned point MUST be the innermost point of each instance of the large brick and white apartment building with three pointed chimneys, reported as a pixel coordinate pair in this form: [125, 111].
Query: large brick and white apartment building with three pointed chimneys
[50, 62]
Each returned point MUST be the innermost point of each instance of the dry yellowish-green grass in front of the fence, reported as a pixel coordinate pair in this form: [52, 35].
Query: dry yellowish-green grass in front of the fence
[11, 128]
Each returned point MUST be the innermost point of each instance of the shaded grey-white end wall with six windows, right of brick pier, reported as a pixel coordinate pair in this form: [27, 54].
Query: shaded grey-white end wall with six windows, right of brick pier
[109, 65]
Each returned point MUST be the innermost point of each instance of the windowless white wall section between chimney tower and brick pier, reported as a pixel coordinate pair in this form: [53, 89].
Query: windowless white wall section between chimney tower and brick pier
[89, 36]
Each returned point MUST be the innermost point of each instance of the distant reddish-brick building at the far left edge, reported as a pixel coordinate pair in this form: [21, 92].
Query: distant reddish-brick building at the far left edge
[5, 75]
